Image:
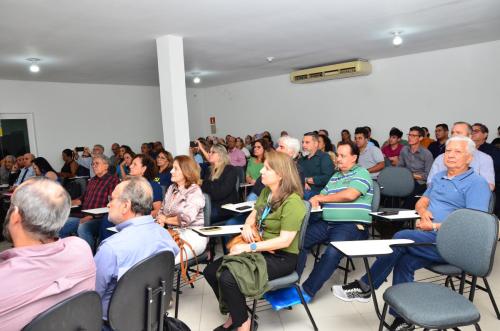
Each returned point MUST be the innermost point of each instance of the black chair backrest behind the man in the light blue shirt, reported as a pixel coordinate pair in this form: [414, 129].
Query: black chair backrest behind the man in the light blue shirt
[128, 305]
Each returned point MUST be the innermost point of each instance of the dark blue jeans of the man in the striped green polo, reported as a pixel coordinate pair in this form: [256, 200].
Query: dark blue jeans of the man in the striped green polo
[323, 232]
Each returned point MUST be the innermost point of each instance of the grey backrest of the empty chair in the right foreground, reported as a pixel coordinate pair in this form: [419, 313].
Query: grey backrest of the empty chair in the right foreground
[467, 239]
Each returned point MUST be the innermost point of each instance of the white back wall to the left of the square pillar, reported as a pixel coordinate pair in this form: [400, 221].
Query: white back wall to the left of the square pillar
[69, 115]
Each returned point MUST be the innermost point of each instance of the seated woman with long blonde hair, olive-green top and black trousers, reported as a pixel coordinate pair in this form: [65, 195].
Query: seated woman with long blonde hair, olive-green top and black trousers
[279, 213]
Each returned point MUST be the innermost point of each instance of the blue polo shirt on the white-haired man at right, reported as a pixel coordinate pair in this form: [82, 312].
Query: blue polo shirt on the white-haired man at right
[467, 190]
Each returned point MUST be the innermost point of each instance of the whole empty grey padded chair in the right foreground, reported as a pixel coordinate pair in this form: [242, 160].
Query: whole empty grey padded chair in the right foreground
[467, 239]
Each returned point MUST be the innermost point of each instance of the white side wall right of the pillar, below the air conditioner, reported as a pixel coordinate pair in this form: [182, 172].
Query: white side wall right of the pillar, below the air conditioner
[420, 89]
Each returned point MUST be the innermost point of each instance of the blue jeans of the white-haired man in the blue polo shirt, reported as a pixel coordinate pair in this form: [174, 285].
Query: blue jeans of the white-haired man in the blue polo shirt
[405, 260]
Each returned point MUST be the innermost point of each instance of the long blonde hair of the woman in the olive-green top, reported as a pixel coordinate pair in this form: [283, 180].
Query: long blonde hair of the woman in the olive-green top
[284, 167]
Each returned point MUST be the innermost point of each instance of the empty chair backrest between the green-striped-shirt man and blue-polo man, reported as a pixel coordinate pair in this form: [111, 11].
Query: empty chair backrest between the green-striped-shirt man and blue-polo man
[396, 182]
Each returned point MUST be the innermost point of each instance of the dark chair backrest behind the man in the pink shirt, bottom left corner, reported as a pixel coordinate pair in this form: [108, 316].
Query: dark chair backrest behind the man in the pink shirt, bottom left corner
[82, 311]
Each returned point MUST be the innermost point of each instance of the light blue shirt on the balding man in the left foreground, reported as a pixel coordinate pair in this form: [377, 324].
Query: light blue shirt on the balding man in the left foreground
[137, 239]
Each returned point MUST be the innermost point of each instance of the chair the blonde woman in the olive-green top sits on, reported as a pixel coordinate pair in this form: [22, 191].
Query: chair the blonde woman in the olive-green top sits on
[292, 279]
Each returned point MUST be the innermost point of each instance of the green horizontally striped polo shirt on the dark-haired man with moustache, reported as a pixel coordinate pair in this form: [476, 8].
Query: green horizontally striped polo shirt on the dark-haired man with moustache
[359, 179]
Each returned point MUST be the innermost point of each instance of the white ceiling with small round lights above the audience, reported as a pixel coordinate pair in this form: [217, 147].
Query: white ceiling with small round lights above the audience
[113, 41]
